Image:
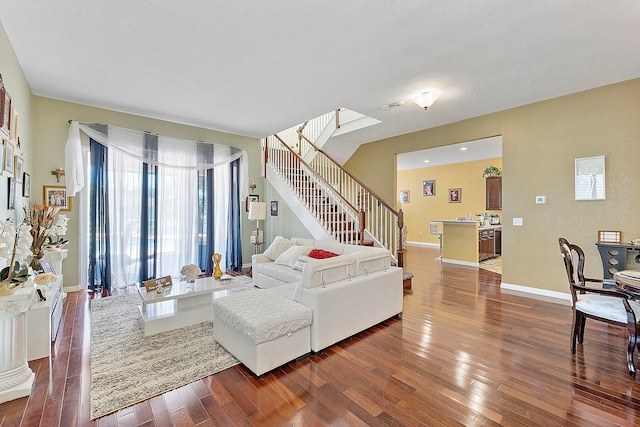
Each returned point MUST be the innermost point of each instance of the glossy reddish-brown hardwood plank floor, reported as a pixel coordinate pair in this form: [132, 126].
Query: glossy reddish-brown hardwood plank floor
[463, 353]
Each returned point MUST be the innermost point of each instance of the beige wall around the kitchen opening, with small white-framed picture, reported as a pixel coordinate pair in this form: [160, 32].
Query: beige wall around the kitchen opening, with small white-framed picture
[539, 145]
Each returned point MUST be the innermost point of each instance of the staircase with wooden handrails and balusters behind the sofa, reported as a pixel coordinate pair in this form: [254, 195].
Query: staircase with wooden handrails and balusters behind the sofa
[330, 201]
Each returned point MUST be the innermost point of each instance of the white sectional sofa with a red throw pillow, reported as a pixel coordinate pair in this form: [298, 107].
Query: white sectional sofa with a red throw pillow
[347, 293]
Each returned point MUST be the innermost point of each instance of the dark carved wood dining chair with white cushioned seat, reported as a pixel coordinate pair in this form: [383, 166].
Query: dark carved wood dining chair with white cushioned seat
[612, 306]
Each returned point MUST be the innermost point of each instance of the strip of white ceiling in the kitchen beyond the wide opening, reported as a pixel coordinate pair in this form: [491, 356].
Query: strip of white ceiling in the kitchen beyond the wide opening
[480, 149]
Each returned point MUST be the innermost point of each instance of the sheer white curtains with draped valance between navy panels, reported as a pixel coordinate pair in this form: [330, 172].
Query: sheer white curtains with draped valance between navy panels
[179, 163]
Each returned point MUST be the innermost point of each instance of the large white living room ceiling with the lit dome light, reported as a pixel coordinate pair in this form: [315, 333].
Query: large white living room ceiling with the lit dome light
[255, 68]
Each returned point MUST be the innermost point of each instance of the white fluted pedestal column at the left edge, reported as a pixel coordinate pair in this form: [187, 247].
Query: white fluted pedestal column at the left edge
[16, 378]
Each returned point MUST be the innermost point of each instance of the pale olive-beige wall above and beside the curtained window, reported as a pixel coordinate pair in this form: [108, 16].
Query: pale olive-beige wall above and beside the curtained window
[50, 134]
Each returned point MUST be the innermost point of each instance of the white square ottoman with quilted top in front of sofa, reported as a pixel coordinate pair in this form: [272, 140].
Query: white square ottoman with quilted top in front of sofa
[262, 329]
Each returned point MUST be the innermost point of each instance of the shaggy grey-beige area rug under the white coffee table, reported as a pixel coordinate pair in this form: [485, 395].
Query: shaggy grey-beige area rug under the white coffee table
[127, 367]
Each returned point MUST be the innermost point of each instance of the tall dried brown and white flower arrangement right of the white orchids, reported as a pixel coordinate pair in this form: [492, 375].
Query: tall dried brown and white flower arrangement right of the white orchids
[44, 222]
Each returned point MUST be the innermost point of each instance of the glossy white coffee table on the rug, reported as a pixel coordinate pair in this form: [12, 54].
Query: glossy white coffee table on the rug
[183, 304]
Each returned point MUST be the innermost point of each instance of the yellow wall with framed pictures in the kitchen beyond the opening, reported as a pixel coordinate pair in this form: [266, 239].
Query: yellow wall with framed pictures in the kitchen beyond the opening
[422, 209]
